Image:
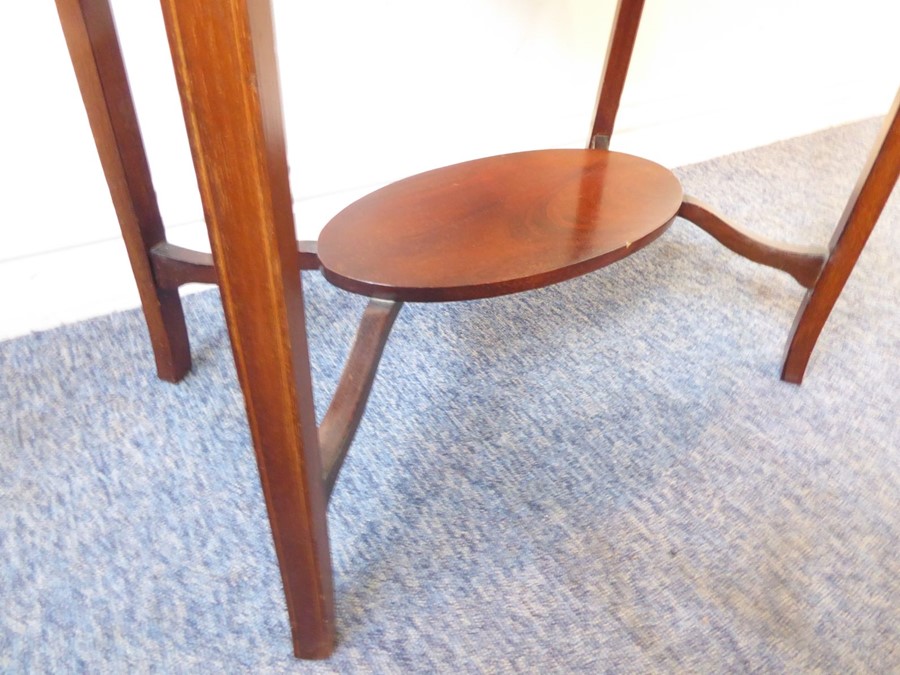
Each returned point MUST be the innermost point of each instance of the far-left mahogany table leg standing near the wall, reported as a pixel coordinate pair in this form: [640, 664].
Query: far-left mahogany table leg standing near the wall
[94, 48]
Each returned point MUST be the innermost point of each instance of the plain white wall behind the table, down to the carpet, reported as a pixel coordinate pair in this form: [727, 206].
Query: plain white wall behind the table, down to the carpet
[375, 90]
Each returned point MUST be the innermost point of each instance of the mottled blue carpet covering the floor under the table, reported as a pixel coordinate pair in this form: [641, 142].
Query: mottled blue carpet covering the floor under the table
[602, 476]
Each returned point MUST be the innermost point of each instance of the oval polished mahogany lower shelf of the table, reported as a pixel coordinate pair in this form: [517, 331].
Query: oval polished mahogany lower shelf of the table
[498, 225]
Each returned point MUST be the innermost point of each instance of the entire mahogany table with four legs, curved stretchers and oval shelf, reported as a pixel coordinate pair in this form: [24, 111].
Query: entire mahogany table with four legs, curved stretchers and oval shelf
[488, 227]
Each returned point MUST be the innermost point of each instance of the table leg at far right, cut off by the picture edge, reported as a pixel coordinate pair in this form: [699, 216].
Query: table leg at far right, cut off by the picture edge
[872, 190]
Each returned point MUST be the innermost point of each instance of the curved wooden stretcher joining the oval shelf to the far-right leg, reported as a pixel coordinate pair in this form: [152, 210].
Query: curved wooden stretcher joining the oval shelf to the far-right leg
[801, 262]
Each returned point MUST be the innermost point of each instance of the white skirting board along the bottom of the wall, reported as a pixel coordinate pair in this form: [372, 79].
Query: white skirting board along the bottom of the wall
[62, 286]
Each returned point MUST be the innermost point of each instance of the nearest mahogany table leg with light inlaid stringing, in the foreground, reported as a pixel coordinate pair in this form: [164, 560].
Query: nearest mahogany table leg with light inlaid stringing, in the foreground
[225, 64]
